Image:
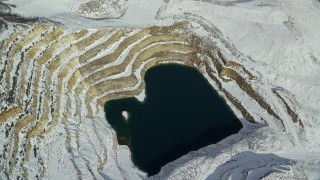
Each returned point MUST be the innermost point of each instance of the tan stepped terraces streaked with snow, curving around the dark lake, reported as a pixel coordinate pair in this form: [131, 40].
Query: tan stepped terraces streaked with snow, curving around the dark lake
[54, 84]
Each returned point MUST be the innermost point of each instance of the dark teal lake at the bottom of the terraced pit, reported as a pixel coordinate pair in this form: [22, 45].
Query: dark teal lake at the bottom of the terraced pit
[182, 112]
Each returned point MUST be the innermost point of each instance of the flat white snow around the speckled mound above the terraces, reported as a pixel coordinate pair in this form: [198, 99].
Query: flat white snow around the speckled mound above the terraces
[137, 14]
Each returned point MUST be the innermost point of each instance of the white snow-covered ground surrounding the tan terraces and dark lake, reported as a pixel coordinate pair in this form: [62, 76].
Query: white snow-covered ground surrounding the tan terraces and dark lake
[277, 40]
